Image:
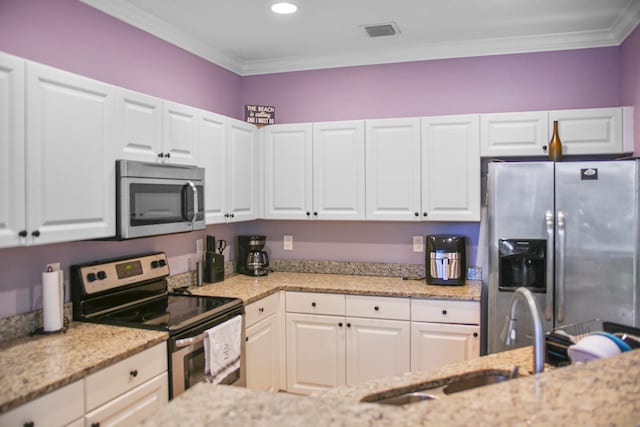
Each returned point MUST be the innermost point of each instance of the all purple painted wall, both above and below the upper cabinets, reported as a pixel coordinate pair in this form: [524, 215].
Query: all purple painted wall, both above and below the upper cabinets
[70, 35]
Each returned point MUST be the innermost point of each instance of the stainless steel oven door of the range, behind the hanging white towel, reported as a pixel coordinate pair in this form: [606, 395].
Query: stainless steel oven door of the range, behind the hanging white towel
[187, 361]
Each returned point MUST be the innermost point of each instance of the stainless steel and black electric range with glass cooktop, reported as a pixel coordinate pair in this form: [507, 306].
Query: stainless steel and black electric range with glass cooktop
[132, 292]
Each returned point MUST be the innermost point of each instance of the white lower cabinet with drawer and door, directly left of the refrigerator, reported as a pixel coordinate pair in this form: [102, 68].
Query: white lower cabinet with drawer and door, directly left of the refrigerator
[443, 332]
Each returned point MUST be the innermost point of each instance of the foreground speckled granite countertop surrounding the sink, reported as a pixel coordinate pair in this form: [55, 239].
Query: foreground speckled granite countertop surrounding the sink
[602, 392]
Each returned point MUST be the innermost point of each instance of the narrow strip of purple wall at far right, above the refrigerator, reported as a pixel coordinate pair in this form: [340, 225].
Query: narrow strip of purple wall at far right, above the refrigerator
[630, 80]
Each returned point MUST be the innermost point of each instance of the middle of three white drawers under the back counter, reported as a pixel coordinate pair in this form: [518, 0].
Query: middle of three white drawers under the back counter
[378, 307]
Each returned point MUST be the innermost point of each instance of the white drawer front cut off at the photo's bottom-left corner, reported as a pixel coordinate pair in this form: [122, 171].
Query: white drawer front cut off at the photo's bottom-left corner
[57, 408]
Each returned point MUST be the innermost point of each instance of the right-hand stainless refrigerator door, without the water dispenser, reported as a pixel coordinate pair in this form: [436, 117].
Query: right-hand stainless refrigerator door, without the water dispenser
[596, 251]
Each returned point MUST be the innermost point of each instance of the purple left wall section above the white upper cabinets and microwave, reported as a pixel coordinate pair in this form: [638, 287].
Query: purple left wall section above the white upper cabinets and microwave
[70, 35]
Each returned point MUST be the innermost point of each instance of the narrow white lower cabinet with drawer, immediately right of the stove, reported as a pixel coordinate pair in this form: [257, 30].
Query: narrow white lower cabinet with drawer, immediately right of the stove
[264, 344]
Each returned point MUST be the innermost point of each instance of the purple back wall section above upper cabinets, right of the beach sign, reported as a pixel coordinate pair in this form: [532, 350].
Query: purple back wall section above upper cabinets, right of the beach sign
[537, 81]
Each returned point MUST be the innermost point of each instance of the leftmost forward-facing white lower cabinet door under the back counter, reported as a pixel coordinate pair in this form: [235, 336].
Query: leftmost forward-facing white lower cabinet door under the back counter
[315, 352]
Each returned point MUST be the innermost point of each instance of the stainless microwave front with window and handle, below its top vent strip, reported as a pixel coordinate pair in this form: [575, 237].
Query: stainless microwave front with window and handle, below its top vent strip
[151, 206]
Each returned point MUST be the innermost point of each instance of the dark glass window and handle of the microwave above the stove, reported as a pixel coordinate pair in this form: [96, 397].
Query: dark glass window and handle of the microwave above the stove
[163, 203]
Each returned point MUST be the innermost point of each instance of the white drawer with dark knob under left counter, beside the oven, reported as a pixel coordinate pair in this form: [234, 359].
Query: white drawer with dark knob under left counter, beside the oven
[117, 379]
